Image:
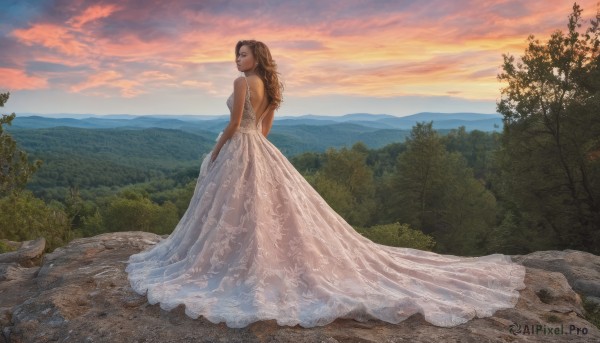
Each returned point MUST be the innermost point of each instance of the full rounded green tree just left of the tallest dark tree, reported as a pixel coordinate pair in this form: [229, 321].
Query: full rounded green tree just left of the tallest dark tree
[435, 191]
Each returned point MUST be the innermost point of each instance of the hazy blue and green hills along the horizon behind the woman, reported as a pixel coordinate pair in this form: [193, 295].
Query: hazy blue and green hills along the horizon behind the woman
[101, 151]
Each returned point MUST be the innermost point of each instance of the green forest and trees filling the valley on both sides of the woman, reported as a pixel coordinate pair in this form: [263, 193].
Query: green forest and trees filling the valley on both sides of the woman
[533, 186]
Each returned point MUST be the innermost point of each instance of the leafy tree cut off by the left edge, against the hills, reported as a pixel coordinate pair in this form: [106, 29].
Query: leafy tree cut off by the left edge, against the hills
[15, 168]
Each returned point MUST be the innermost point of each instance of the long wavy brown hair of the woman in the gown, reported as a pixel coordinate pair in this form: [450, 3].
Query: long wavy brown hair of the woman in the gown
[266, 69]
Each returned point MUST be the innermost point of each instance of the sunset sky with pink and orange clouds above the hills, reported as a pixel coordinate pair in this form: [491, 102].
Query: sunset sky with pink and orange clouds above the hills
[335, 57]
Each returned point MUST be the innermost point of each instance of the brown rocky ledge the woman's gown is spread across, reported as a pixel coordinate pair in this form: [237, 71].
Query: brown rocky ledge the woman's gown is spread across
[80, 293]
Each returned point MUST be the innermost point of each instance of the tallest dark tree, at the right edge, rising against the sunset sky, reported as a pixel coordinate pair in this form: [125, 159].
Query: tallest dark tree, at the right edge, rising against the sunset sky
[551, 137]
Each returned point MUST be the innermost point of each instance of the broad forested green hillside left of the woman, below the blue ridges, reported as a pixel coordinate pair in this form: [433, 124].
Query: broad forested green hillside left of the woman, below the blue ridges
[100, 158]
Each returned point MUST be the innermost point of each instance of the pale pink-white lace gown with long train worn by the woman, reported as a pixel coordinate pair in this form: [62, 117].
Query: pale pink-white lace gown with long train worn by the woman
[258, 243]
